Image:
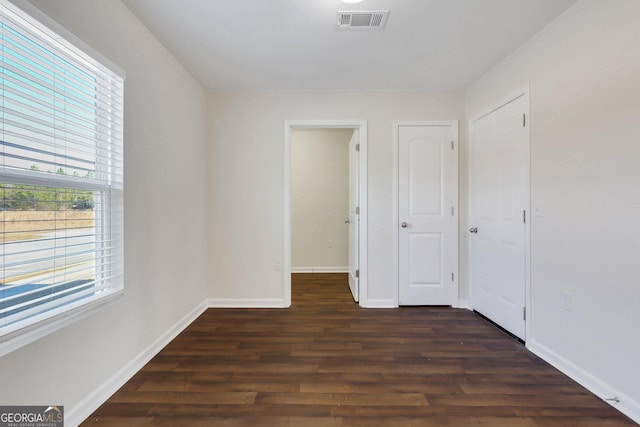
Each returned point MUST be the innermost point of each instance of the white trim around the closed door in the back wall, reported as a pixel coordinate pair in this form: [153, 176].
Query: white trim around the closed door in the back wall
[395, 203]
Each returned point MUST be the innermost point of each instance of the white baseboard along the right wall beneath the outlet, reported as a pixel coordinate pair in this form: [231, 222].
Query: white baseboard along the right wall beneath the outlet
[604, 391]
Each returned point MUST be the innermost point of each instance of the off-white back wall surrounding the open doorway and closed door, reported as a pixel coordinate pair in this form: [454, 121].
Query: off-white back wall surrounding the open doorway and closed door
[246, 175]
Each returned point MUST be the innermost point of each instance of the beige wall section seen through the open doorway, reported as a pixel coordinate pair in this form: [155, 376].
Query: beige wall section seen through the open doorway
[320, 199]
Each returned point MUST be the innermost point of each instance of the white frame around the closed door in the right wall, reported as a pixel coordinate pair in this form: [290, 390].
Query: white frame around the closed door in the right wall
[524, 91]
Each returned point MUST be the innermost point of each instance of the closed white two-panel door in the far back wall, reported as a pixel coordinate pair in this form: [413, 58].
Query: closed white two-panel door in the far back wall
[427, 214]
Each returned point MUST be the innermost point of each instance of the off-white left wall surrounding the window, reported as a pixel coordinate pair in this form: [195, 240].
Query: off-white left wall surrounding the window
[165, 191]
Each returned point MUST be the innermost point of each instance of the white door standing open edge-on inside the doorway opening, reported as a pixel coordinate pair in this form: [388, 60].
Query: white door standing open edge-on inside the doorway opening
[354, 218]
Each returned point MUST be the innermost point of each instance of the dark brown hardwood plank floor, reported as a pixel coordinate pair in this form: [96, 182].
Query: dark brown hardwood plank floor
[327, 362]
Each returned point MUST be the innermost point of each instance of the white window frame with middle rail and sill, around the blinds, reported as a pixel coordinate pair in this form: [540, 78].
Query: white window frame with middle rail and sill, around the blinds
[24, 332]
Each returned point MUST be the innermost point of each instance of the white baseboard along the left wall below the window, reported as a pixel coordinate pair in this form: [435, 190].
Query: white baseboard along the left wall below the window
[74, 416]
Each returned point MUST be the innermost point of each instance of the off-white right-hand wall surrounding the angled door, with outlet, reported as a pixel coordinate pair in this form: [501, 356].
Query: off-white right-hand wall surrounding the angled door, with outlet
[584, 72]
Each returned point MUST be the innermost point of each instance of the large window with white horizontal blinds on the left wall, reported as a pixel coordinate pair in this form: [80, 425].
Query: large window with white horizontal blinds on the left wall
[61, 180]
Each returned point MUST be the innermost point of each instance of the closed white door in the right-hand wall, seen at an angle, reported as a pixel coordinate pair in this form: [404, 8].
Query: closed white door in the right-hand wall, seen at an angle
[499, 176]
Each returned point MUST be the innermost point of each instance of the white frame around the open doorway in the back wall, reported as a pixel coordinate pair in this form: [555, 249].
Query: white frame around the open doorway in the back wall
[361, 126]
